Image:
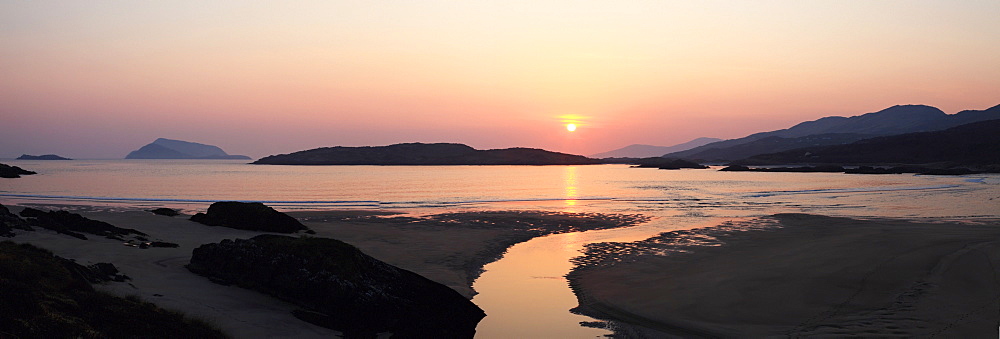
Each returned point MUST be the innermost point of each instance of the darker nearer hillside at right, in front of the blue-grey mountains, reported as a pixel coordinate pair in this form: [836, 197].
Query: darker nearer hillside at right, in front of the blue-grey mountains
[976, 144]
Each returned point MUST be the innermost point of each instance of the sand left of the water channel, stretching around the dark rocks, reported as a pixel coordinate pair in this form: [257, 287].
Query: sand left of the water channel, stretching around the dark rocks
[448, 248]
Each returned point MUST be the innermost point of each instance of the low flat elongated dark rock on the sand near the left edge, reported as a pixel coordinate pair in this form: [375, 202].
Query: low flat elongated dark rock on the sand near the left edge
[72, 224]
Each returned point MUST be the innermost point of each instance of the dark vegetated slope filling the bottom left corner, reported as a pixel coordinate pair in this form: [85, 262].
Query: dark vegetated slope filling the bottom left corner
[45, 296]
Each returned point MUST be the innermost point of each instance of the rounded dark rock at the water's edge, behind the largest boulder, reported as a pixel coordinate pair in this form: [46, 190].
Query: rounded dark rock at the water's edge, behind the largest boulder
[252, 216]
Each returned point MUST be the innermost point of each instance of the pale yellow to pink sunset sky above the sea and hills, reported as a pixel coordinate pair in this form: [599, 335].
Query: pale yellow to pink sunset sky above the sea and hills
[98, 79]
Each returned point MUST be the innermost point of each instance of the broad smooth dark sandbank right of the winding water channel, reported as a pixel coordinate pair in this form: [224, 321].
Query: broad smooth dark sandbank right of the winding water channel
[801, 275]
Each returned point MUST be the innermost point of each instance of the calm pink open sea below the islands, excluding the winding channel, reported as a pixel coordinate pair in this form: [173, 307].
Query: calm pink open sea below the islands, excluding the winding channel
[193, 185]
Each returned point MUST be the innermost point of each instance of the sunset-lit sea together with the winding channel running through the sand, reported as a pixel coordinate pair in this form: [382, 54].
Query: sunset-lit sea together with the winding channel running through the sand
[525, 293]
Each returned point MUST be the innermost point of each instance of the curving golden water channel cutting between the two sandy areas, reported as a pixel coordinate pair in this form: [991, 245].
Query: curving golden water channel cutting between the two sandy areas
[526, 295]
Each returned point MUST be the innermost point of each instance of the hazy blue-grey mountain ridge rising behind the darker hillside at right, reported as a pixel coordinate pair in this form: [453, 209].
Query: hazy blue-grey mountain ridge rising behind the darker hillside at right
[839, 130]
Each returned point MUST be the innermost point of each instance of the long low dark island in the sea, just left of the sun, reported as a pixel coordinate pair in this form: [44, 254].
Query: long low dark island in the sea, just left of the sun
[425, 154]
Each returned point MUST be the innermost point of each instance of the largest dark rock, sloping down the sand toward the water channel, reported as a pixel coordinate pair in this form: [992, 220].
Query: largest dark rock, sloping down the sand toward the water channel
[340, 287]
